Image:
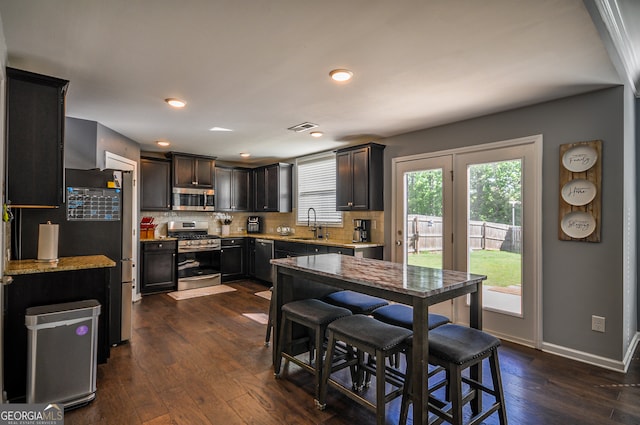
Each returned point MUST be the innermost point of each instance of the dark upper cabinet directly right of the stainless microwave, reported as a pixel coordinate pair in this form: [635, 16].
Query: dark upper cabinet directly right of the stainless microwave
[232, 189]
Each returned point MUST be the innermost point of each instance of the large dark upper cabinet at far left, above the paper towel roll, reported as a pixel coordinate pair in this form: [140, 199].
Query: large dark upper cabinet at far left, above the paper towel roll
[35, 106]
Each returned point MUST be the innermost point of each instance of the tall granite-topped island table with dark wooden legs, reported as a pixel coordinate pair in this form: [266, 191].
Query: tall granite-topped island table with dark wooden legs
[419, 287]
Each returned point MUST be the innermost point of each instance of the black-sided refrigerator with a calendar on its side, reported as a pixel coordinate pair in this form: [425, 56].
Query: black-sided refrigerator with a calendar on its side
[97, 209]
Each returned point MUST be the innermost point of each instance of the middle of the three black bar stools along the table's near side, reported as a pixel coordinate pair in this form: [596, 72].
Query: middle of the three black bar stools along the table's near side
[366, 335]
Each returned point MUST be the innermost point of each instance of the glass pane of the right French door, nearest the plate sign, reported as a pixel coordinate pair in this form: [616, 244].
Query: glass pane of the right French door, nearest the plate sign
[495, 232]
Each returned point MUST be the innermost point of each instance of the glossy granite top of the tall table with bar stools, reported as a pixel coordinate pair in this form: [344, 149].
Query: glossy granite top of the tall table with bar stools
[389, 276]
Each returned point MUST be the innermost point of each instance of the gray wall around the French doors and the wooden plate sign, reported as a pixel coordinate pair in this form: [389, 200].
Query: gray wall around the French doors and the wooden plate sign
[578, 279]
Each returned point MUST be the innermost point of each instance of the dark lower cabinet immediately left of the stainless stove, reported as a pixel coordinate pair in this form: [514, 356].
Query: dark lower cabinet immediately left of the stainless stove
[159, 269]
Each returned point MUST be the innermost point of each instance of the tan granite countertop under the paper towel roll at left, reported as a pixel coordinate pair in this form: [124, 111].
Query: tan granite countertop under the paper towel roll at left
[18, 267]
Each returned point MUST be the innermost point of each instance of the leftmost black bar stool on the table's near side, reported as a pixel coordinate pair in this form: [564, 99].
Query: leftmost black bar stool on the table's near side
[315, 315]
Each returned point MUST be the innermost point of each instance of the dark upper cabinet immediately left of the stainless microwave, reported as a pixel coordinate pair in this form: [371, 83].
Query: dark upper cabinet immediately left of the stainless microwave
[155, 185]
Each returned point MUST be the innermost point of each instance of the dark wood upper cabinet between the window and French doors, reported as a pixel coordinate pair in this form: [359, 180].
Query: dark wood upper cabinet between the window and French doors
[360, 172]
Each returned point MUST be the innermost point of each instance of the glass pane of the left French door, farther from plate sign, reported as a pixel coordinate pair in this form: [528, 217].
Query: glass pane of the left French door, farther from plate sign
[423, 219]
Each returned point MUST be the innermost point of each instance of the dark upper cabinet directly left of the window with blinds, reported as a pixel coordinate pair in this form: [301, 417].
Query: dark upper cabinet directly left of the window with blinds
[273, 188]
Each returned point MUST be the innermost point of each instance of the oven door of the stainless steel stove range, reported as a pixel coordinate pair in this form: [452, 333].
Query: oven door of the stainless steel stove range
[198, 268]
